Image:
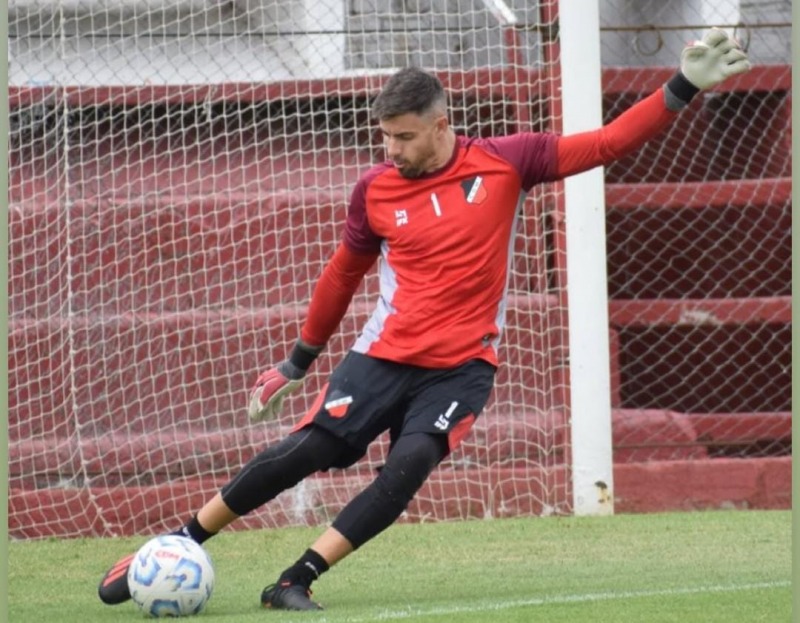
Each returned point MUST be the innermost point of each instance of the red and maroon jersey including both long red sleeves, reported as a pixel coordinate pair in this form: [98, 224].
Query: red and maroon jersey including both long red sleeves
[445, 239]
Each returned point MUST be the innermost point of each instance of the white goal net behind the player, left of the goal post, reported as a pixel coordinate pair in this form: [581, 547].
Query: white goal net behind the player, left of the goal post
[179, 175]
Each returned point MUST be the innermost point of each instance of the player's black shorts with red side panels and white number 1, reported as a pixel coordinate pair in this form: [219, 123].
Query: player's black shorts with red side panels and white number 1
[366, 396]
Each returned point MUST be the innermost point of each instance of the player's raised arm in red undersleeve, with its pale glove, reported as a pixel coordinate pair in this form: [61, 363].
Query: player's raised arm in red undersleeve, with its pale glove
[703, 65]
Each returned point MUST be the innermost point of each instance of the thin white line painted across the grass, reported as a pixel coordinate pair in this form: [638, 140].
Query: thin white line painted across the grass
[412, 613]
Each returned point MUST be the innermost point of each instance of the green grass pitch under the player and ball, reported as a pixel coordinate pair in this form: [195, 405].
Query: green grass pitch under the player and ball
[684, 567]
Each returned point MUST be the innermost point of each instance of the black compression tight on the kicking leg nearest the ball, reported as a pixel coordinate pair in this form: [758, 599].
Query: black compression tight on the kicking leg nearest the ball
[280, 467]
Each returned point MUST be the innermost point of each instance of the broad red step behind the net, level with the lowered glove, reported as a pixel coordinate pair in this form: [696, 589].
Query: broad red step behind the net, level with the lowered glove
[144, 372]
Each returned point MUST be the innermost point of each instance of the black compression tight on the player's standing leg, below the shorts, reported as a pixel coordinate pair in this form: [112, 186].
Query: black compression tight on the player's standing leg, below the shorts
[407, 467]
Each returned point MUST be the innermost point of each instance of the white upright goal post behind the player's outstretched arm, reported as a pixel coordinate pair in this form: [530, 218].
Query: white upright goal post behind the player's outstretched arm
[584, 198]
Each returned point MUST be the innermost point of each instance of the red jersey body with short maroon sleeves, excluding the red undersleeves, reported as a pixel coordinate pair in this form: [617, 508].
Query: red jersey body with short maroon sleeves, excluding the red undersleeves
[445, 241]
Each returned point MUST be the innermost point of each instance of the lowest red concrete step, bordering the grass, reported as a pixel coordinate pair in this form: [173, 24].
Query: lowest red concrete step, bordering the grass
[469, 493]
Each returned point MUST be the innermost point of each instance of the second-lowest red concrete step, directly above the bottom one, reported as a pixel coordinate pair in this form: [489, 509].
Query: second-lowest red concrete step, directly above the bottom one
[499, 439]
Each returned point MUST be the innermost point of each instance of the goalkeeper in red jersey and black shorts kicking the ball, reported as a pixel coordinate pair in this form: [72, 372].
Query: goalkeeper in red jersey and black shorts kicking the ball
[440, 214]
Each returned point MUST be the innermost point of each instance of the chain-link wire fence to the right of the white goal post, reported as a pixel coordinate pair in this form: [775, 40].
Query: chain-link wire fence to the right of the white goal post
[699, 238]
